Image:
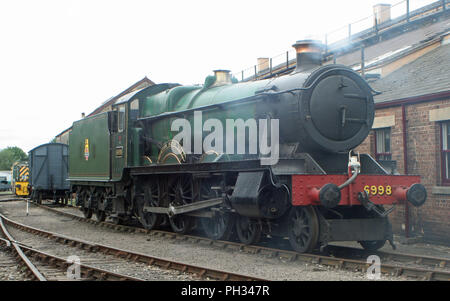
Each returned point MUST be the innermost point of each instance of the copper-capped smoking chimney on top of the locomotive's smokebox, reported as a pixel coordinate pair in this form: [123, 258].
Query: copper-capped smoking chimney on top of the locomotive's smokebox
[309, 54]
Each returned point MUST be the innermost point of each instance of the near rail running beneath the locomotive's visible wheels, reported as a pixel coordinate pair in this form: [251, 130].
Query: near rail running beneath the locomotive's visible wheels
[338, 262]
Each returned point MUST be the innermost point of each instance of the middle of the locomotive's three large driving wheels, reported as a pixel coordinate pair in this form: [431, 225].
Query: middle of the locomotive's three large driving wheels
[180, 193]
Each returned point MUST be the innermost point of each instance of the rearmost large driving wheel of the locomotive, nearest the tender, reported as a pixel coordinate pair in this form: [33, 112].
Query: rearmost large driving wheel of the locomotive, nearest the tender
[151, 198]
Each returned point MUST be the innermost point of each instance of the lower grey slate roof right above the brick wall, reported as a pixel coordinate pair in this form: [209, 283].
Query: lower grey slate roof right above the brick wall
[426, 75]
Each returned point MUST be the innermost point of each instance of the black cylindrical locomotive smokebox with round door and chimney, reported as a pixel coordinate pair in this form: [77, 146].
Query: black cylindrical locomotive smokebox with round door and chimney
[332, 111]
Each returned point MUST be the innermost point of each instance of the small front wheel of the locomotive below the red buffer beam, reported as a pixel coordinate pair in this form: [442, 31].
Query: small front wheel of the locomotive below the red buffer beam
[303, 227]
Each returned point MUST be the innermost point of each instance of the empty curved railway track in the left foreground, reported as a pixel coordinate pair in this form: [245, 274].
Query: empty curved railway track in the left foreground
[118, 257]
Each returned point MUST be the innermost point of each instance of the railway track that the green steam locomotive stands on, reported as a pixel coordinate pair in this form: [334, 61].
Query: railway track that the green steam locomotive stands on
[406, 265]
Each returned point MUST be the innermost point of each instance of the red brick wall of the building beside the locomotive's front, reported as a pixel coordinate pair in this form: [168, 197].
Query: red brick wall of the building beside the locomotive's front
[432, 220]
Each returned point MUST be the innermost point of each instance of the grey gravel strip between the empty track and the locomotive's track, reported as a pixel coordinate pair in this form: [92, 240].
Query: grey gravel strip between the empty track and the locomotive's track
[223, 259]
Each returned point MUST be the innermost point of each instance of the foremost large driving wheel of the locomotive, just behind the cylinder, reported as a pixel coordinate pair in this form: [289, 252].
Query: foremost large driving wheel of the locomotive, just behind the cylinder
[220, 226]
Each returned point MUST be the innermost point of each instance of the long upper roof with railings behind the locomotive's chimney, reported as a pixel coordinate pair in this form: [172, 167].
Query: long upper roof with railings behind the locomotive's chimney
[382, 44]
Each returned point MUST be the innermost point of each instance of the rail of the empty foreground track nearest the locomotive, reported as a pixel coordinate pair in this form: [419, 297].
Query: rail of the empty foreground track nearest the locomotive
[202, 272]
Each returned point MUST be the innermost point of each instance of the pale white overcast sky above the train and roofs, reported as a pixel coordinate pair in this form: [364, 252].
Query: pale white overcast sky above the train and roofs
[64, 57]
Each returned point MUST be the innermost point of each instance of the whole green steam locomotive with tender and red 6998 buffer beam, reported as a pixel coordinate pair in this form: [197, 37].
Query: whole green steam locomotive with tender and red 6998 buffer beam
[128, 162]
